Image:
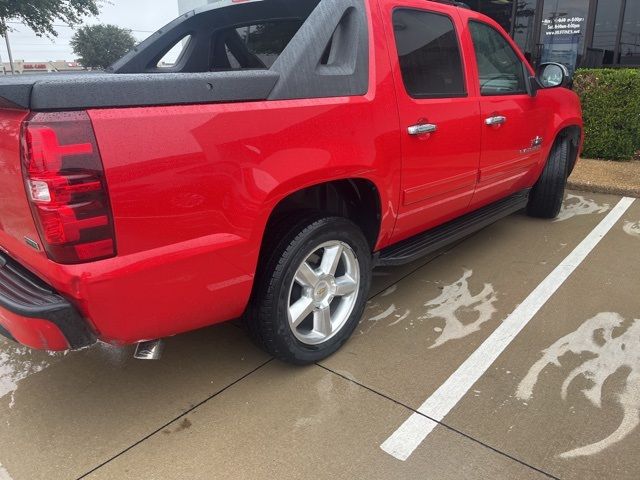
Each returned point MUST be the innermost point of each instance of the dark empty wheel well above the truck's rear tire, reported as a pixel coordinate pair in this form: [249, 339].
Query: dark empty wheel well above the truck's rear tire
[355, 199]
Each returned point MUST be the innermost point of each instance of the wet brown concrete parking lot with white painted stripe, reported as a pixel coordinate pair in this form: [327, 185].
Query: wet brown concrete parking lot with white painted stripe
[561, 399]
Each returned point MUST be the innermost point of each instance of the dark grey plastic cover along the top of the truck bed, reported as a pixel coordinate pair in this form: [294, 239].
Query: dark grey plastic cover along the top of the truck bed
[44, 92]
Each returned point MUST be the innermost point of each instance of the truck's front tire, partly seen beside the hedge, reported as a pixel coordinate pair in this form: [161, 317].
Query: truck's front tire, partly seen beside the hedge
[545, 200]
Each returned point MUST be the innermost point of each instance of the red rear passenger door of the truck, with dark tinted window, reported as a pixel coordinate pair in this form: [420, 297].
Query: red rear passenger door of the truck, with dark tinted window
[439, 118]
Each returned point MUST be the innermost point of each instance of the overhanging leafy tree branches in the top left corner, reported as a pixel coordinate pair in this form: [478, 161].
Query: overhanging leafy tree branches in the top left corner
[40, 15]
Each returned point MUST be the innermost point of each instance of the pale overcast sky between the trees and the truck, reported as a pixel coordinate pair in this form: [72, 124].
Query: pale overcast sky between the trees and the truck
[143, 17]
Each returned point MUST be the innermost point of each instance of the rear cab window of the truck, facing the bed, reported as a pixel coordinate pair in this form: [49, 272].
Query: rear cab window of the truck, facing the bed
[254, 46]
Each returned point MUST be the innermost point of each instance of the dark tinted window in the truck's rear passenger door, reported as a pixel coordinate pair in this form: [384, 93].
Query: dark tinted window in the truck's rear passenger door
[429, 54]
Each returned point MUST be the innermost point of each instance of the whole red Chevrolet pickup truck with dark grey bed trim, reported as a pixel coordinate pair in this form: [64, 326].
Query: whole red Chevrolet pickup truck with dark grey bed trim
[262, 171]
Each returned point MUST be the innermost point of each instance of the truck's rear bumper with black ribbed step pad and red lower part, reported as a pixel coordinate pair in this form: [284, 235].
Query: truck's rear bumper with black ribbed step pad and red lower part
[32, 314]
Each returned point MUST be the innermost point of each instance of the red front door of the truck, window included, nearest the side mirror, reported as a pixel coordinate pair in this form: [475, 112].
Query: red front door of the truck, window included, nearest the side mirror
[513, 122]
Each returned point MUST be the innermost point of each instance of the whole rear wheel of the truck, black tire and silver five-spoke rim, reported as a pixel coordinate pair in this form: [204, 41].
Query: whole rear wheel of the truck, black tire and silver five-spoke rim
[311, 292]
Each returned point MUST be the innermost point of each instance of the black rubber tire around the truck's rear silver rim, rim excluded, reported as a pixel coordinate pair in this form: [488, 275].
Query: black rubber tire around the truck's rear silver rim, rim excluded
[287, 248]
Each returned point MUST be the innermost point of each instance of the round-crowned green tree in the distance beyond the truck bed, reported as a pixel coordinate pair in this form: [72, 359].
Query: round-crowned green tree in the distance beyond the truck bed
[98, 46]
